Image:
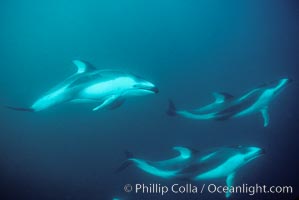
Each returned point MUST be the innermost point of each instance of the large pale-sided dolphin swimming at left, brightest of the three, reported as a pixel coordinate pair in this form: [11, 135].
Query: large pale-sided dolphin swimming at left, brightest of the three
[106, 88]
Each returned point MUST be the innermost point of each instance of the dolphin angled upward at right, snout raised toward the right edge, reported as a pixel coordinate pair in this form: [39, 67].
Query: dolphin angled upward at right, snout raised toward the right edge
[227, 106]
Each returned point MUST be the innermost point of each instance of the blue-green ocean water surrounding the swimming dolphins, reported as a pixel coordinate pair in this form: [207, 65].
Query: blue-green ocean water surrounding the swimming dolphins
[189, 49]
